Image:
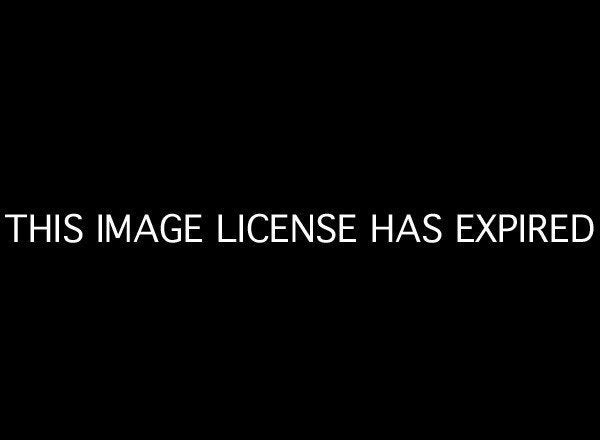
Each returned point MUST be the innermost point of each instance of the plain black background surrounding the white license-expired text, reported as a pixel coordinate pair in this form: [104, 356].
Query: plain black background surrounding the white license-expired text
[368, 113]
